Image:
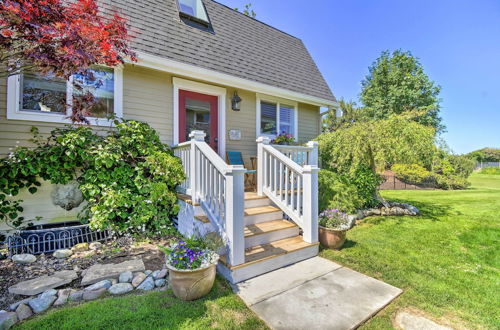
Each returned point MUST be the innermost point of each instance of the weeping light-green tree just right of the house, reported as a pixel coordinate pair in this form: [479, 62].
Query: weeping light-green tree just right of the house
[364, 148]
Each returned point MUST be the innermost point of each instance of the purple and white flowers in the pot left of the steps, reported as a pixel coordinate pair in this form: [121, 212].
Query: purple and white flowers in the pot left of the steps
[190, 256]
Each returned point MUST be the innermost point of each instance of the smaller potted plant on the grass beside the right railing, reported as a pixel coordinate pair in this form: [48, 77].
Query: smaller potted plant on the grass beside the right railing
[333, 226]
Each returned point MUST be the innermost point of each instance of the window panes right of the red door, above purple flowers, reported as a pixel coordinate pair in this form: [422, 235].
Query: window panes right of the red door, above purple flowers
[277, 118]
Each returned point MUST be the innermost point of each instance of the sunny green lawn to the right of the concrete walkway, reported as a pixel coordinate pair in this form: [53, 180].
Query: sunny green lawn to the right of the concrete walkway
[447, 261]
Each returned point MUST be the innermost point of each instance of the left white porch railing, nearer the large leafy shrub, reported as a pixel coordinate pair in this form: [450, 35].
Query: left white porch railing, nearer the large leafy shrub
[219, 188]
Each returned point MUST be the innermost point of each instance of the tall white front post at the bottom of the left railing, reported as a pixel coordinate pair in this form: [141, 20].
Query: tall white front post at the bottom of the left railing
[234, 213]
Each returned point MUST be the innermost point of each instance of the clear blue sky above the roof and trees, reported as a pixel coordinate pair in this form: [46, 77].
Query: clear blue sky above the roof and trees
[457, 42]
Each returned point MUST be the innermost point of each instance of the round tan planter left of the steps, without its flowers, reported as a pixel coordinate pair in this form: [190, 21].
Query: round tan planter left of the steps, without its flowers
[191, 284]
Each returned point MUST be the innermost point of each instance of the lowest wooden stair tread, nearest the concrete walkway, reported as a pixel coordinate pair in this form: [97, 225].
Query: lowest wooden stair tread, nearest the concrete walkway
[271, 250]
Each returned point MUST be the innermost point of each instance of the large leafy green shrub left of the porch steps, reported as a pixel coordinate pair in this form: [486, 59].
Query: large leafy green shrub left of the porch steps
[127, 176]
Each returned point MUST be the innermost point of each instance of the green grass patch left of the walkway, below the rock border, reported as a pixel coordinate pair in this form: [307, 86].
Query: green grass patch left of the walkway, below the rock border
[220, 309]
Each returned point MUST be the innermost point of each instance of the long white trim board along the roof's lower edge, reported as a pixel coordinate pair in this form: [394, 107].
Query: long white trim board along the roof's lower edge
[189, 70]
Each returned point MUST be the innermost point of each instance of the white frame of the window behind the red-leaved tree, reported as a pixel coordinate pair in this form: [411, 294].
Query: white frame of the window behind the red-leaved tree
[14, 111]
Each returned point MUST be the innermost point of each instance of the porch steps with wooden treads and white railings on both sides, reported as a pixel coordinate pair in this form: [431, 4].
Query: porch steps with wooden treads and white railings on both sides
[274, 226]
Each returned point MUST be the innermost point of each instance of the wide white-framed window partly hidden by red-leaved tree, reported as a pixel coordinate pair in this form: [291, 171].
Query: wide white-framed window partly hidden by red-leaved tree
[32, 96]
